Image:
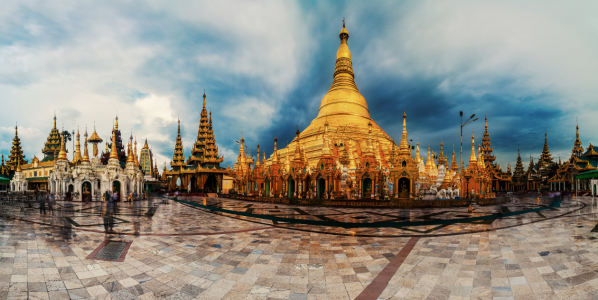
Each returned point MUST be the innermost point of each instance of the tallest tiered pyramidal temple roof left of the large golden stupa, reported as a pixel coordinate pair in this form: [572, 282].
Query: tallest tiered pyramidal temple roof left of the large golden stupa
[205, 151]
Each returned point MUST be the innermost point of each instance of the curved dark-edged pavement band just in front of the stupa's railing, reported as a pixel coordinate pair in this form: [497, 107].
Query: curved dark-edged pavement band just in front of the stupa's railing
[538, 207]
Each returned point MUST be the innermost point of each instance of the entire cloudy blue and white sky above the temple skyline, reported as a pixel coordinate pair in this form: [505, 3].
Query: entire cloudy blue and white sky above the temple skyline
[265, 66]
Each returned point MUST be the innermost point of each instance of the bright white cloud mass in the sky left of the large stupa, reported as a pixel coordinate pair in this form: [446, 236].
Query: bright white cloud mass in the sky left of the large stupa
[87, 60]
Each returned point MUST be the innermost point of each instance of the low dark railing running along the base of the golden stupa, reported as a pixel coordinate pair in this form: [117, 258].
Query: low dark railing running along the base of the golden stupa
[360, 203]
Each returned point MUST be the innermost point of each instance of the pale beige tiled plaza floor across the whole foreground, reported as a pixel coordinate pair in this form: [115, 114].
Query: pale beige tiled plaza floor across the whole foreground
[552, 259]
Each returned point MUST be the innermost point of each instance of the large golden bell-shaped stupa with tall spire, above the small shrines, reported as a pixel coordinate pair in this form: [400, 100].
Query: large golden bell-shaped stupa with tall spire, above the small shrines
[346, 113]
